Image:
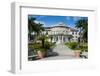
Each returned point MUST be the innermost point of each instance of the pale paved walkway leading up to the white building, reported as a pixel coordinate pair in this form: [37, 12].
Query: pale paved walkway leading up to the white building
[63, 53]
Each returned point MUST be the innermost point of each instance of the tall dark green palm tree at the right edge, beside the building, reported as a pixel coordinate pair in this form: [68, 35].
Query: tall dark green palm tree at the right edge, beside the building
[82, 24]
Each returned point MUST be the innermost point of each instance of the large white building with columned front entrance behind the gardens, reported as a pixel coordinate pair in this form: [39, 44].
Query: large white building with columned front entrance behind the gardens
[61, 33]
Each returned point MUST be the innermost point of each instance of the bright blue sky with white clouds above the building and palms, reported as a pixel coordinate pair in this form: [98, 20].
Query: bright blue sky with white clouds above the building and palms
[52, 20]
